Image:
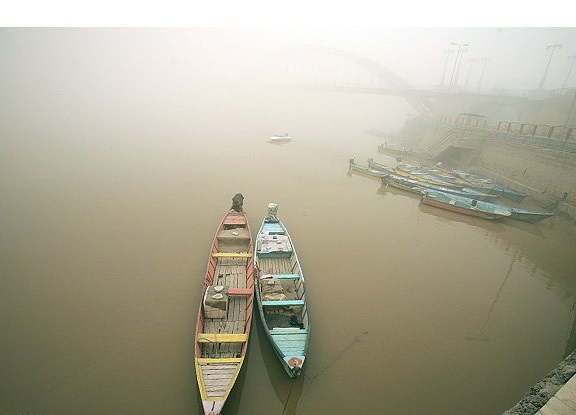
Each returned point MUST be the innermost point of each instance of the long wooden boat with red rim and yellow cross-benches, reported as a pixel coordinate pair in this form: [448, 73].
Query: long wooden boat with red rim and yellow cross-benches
[225, 314]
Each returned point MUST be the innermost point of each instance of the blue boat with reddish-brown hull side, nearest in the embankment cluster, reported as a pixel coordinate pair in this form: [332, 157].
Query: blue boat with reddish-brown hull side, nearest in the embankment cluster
[470, 207]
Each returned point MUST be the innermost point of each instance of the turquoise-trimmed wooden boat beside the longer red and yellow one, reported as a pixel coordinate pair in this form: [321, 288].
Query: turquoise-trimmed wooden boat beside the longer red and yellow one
[281, 293]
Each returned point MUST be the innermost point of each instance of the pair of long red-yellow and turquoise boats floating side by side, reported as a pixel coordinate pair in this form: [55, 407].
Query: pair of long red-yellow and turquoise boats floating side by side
[239, 271]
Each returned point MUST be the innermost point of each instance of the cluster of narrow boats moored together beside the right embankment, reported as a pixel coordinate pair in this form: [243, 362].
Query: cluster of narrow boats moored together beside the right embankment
[452, 190]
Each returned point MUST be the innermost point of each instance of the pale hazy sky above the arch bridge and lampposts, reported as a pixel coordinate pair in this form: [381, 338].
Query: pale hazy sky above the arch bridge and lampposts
[517, 56]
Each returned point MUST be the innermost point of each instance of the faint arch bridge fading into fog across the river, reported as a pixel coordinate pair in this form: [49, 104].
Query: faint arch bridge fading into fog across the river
[332, 70]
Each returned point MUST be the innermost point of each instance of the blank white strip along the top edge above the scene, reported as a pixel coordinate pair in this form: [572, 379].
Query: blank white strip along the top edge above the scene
[293, 13]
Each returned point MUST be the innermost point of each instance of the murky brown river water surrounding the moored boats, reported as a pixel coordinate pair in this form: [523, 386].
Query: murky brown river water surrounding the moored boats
[107, 219]
